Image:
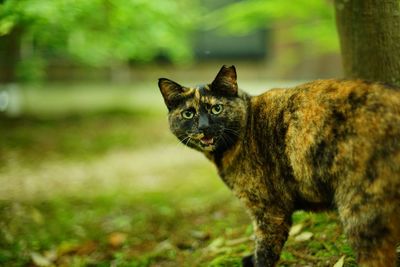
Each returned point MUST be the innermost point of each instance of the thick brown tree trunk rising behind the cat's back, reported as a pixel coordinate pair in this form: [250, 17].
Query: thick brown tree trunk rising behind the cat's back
[369, 33]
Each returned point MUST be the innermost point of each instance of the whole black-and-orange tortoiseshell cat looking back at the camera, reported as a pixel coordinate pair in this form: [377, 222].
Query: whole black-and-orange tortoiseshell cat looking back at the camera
[328, 144]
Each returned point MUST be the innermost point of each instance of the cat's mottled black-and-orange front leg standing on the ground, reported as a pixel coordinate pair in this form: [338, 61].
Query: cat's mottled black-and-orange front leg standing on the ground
[271, 232]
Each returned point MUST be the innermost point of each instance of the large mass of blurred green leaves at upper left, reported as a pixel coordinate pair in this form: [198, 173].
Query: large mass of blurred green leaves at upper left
[98, 32]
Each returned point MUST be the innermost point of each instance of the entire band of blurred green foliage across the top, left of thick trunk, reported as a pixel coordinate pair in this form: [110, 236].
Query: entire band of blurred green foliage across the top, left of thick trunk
[110, 32]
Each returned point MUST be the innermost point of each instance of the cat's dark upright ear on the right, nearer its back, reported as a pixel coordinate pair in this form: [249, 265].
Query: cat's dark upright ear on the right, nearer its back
[225, 82]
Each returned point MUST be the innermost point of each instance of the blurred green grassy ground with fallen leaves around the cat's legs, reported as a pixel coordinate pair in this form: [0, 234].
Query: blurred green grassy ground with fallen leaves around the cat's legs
[110, 186]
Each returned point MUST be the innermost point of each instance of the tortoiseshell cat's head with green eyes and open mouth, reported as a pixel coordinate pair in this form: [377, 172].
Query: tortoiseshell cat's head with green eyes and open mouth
[209, 117]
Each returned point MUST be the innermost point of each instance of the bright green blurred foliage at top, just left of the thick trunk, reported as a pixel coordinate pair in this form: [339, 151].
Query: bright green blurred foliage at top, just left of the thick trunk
[306, 20]
